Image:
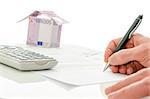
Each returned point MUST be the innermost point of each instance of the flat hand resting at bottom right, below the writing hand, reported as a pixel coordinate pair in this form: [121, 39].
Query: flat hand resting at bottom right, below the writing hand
[135, 86]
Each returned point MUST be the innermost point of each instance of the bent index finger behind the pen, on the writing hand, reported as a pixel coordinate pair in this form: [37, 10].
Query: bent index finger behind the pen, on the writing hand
[110, 48]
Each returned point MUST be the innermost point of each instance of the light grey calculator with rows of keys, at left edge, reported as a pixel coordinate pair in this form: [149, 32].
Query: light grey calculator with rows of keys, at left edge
[25, 60]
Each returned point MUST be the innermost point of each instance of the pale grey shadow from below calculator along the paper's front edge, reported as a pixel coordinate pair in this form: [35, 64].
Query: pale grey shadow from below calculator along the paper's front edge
[29, 77]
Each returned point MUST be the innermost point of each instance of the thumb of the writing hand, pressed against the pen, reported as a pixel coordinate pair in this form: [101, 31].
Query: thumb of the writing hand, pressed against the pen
[122, 57]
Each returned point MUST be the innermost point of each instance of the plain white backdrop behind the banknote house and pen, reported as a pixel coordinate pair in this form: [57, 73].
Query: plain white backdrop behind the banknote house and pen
[93, 23]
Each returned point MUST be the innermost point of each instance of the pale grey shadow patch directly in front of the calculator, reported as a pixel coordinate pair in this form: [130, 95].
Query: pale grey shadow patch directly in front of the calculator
[19, 76]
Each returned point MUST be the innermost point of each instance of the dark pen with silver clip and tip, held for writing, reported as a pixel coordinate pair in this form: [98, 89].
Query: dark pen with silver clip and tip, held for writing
[127, 36]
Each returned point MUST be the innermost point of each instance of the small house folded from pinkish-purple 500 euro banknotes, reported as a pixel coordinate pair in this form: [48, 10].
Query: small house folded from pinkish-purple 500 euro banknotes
[44, 28]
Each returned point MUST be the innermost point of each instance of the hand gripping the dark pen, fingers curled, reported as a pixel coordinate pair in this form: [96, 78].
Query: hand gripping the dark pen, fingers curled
[134, 57]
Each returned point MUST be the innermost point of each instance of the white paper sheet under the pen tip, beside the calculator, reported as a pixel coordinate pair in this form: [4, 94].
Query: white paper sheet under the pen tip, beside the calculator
[78, 66]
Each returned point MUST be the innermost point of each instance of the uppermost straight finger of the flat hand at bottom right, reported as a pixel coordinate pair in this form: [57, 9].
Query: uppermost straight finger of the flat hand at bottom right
[129, 80]
